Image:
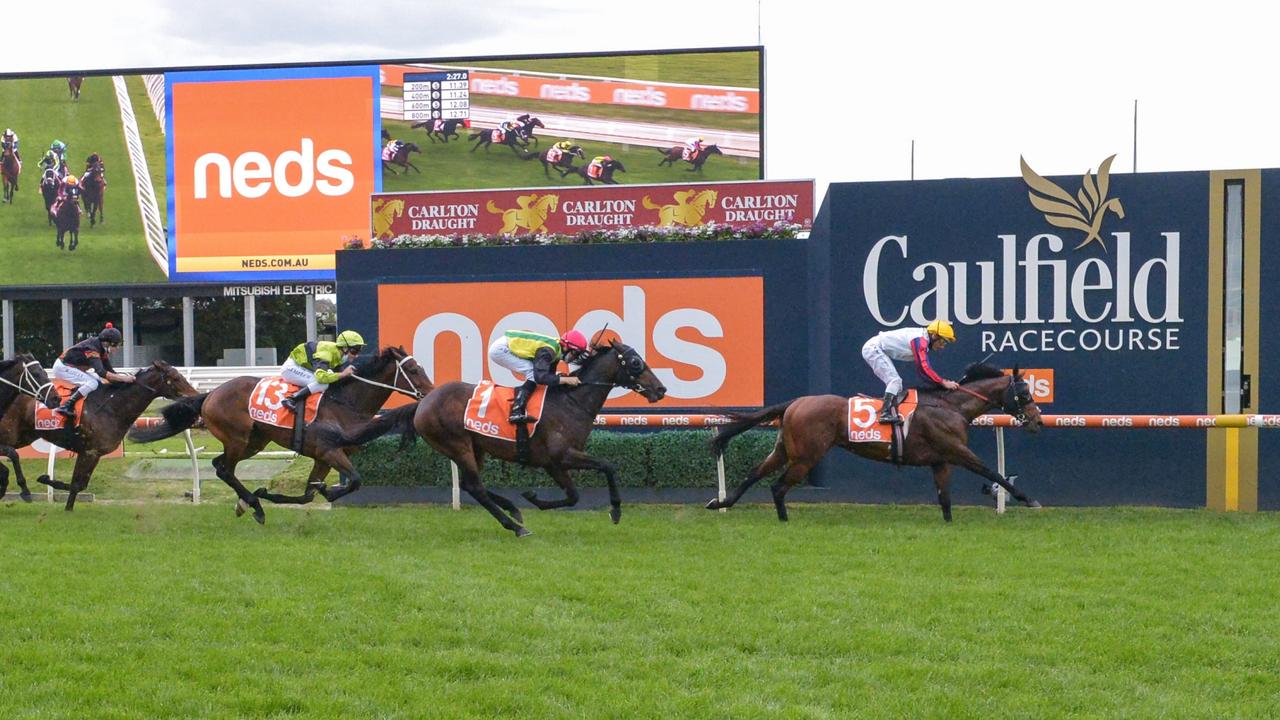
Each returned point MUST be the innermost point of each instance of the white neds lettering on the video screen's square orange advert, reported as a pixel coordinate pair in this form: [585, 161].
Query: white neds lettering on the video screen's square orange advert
[254, 175]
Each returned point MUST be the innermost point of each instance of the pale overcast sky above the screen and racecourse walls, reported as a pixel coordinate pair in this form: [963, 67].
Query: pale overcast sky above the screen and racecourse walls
[848, 89]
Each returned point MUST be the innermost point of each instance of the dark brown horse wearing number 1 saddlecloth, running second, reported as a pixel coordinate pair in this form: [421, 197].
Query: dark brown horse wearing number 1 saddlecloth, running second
[557, 446]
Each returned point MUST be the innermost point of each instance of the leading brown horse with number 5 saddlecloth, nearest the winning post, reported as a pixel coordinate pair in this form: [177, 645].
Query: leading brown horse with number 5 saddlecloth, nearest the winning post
[939, 438]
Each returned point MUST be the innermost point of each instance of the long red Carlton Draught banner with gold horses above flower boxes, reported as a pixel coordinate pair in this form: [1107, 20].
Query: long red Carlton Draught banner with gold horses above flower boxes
[574, 209]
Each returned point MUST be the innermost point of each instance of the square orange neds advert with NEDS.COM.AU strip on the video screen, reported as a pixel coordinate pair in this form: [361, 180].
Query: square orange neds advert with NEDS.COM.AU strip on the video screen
[268, 175]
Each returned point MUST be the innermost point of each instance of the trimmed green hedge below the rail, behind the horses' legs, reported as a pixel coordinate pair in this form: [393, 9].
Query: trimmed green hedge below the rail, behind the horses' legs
[668, 459]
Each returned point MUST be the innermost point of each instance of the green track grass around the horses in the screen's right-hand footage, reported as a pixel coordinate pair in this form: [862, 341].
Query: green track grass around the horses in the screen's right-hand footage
[455, 167]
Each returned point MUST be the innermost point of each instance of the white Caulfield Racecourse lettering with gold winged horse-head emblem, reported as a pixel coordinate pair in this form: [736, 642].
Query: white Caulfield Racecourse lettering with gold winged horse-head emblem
[1109, 284]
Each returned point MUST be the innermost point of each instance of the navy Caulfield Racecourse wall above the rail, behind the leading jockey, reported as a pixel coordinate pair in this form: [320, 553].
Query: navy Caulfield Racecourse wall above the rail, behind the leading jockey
[1098, 277]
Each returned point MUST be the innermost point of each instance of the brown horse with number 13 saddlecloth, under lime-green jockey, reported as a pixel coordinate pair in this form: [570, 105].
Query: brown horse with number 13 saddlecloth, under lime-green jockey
[351, 402]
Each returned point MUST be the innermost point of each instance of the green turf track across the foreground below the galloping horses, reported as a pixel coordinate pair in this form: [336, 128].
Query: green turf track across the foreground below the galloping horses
[848, 612]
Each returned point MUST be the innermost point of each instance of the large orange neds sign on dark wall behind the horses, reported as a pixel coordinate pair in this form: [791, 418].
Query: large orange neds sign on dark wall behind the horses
[702, 338]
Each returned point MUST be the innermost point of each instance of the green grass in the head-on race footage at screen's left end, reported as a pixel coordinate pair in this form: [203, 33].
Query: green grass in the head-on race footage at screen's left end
[113, 253]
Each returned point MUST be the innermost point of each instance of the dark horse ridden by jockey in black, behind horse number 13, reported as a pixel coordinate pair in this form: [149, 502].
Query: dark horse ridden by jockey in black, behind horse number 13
[109, 413]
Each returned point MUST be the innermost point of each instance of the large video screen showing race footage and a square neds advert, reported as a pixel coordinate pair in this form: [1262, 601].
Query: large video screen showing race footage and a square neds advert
[260, 174]
